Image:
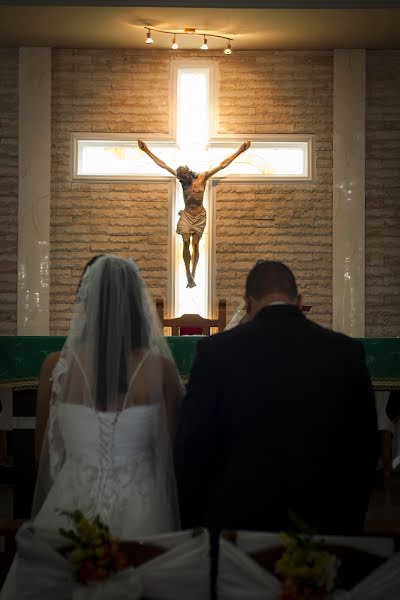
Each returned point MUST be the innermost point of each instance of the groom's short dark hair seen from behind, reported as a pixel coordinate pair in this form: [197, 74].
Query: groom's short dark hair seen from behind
[271, 277]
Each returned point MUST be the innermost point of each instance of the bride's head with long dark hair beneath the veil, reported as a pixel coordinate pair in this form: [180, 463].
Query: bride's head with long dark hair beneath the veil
[117, 322]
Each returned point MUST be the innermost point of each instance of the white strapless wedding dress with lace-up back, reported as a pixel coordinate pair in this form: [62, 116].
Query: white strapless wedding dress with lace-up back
[109, 470]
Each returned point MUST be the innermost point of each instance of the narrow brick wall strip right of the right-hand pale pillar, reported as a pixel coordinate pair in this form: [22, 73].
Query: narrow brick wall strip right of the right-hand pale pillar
[383, 194]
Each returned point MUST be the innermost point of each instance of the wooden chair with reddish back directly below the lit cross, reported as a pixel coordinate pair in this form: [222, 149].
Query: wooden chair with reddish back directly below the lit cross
[193, 324]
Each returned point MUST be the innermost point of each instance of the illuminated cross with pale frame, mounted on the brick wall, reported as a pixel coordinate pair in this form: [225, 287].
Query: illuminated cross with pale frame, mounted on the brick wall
[191, 138]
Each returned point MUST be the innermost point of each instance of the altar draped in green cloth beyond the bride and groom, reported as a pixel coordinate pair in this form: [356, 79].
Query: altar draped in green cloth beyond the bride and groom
[20, 361]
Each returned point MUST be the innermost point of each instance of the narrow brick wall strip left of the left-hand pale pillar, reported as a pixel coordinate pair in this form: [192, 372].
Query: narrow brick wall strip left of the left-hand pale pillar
[8, 190]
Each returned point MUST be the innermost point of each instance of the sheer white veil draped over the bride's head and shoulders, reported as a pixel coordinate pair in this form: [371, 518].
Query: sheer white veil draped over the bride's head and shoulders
[115, 357]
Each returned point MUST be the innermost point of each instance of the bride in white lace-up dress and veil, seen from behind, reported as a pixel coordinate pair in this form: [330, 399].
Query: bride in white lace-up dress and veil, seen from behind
[106, 413]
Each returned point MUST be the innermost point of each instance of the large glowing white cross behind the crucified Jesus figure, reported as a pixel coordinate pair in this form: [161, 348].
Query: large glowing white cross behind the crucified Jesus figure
[191, 145]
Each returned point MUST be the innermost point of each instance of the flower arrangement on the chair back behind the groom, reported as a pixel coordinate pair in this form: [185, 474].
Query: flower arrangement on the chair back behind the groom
[308, 572]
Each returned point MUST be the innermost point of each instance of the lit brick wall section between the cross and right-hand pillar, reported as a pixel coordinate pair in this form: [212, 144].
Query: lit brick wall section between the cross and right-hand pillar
[278, 92]
